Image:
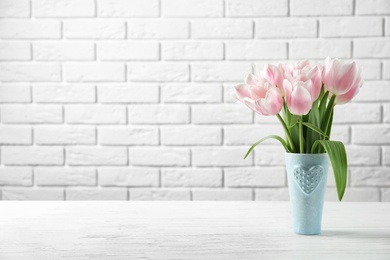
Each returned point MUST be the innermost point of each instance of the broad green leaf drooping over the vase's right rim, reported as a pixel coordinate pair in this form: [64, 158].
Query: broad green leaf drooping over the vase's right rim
[338, 158]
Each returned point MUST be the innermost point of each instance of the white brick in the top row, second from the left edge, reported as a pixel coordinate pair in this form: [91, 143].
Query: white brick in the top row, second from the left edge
[63, 8]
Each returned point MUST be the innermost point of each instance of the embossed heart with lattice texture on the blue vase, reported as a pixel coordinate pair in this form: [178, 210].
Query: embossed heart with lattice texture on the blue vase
[308, 180]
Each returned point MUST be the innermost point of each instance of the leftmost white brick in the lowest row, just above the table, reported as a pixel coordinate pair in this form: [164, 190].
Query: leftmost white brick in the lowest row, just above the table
[33, 194]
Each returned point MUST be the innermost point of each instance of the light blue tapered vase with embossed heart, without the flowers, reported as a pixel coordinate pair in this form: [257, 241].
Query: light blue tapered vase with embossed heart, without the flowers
[307, 175]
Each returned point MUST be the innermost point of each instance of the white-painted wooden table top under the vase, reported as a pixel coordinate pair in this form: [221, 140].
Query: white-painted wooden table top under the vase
[188, 230]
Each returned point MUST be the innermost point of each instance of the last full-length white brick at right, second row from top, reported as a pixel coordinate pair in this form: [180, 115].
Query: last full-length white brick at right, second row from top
[351, 27]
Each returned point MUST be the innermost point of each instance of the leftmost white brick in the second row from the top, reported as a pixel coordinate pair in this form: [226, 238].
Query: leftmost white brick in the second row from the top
[30, 29]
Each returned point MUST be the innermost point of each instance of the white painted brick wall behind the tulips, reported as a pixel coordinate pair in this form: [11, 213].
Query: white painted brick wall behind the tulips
[119, 100]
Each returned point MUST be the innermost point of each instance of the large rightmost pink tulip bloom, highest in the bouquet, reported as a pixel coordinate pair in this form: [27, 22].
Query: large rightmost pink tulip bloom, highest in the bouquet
[341, 78]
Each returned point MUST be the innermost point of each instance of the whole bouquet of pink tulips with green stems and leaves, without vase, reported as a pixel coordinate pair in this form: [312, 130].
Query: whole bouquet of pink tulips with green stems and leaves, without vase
[306, 95]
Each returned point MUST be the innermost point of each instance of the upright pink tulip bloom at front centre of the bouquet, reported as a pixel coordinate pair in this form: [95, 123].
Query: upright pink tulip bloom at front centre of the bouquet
[298, 96]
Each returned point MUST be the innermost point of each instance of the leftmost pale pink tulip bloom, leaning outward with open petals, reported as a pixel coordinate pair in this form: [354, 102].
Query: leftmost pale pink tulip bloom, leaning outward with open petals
[259, 95]
